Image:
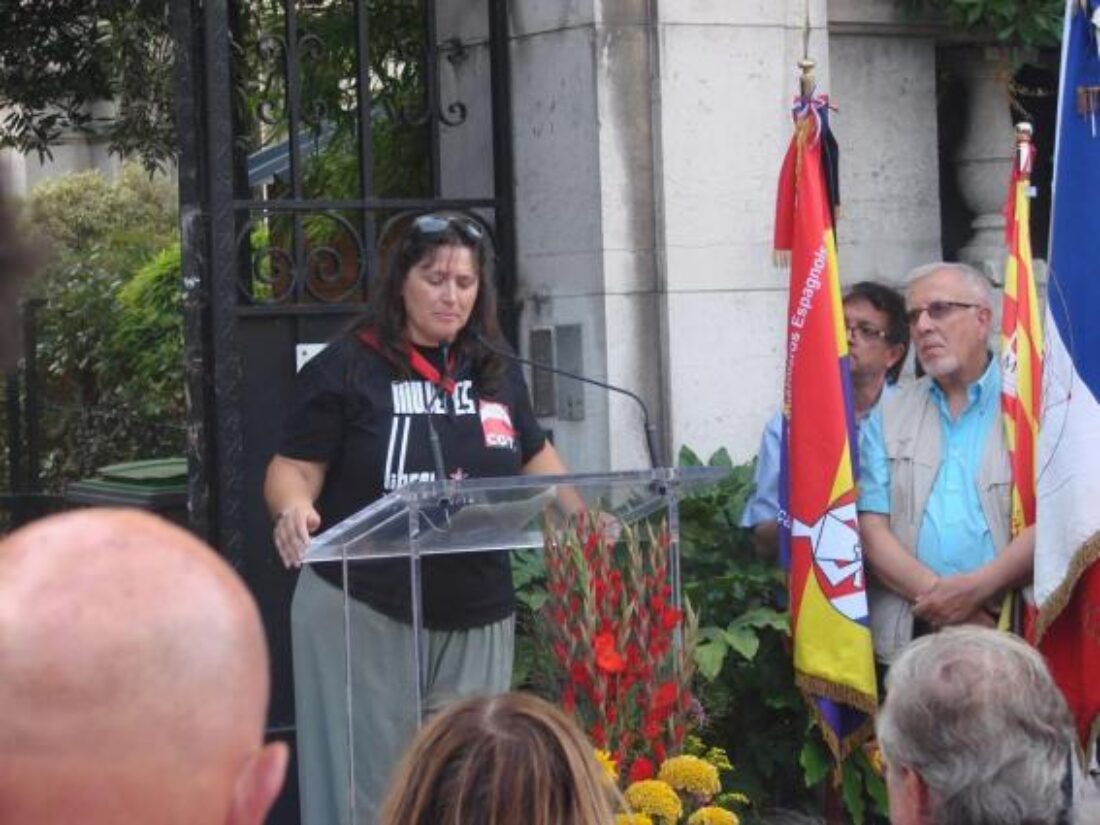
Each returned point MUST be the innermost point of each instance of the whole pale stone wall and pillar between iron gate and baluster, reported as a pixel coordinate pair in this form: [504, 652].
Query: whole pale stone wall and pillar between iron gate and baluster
[647, 162]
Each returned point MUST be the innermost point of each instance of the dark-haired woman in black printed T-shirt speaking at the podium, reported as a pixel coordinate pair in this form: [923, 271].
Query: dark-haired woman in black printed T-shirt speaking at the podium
[358, 427]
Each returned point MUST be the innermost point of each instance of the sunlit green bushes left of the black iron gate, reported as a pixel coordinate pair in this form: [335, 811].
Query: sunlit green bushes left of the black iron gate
[111, 349]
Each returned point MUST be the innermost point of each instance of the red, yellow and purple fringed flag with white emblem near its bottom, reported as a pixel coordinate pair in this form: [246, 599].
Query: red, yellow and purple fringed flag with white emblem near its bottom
[819, 532]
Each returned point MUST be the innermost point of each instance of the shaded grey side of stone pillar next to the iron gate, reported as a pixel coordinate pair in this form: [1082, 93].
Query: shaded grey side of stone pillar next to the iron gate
[585, 213]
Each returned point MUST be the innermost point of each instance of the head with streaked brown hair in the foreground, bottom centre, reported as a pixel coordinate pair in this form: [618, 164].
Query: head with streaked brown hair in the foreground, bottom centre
[500, 761]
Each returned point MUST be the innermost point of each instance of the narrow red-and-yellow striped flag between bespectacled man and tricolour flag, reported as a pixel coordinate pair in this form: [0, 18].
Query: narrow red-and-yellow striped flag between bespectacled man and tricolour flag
[1021, 339]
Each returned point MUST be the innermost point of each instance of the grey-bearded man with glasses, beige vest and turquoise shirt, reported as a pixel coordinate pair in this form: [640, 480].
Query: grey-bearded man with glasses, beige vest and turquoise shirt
[936, 480]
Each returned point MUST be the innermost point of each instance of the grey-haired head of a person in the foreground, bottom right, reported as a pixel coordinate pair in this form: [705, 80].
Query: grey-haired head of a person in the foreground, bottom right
[974, 732]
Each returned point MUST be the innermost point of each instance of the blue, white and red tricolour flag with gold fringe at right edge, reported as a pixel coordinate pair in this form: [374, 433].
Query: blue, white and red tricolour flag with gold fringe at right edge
[1068, 527]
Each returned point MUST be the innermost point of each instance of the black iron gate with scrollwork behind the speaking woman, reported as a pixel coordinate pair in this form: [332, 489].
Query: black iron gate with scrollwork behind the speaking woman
[304, 125]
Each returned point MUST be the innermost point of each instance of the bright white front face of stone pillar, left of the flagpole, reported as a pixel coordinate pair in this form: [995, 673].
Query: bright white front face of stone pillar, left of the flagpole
[729, 74]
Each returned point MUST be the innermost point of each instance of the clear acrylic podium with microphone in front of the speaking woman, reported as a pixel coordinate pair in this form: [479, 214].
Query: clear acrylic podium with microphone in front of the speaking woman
[472, 516]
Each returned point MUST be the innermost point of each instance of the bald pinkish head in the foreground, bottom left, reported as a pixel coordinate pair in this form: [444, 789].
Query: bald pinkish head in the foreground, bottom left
[134, 678]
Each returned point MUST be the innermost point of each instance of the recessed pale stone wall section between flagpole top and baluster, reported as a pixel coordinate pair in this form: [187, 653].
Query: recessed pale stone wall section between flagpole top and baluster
[885, 90]
